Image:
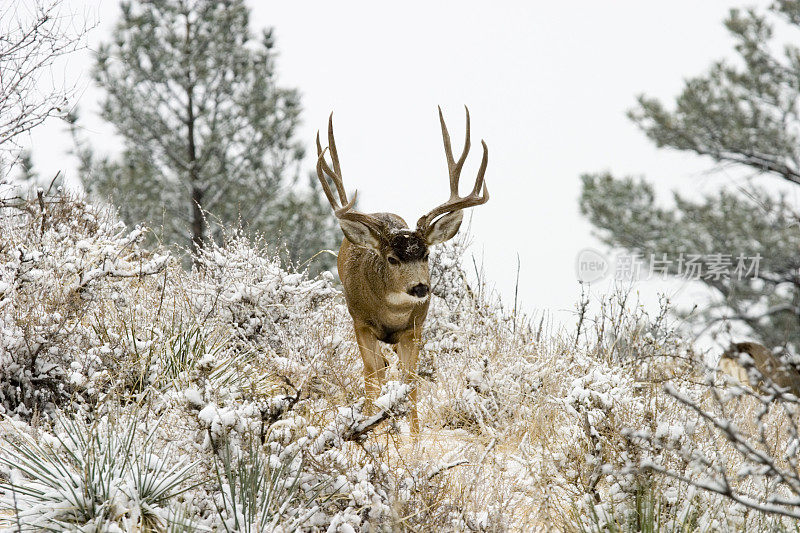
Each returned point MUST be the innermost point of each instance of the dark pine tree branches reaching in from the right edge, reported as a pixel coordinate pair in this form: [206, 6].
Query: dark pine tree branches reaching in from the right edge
[745, 114]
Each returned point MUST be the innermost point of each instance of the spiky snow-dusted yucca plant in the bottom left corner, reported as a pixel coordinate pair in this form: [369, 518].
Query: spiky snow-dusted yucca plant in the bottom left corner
[93, 478]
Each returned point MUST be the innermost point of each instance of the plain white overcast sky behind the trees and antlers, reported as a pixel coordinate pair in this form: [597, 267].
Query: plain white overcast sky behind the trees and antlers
[547, 84]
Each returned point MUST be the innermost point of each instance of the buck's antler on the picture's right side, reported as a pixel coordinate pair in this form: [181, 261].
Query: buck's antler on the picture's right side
[456, 203]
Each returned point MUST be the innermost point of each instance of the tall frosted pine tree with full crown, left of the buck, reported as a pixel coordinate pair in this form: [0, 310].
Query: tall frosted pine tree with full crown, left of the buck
[208, 133]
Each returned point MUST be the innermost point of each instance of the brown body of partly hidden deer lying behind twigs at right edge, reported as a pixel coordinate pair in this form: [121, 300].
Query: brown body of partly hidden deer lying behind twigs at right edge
[769, 367]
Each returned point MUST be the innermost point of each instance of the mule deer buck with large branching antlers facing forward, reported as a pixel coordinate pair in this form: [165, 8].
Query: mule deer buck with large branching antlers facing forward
[383, 264]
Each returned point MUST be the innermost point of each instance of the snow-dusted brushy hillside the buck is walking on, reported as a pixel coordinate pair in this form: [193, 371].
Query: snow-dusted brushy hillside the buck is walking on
[138, 396]
